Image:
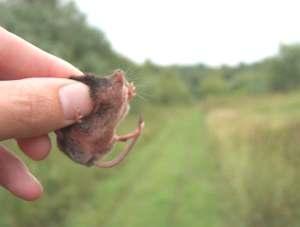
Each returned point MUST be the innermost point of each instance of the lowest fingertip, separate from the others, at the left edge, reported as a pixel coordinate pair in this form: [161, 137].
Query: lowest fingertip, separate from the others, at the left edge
[15, 177]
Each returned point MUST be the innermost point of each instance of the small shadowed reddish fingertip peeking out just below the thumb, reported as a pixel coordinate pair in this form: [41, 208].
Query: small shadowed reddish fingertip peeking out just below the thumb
[36, 148]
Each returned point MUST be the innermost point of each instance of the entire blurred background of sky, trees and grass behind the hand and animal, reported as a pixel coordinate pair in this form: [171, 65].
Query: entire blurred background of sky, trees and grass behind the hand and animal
[218, 86]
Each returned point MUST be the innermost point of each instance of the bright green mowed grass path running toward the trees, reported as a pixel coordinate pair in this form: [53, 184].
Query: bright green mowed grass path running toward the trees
[166, 181]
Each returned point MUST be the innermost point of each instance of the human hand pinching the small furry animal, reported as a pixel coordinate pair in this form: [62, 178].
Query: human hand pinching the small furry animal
[31, 106]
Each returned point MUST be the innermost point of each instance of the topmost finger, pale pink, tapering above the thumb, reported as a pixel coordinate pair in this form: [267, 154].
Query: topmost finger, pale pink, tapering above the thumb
[26, 60]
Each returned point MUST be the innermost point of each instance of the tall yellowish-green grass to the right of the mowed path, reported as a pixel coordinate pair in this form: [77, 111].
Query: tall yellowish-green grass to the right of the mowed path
[259, 164]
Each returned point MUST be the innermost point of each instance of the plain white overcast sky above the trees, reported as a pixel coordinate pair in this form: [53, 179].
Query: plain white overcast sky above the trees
[213, 32]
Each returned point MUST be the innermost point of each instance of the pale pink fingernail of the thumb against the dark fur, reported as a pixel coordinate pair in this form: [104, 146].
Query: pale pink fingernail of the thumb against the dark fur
[75, 100]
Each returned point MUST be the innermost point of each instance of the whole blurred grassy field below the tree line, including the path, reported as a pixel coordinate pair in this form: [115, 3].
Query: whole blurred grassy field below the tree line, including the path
[222, 162]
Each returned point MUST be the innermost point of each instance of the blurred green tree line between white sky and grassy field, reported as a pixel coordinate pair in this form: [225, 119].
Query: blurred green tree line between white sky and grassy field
[60, 28]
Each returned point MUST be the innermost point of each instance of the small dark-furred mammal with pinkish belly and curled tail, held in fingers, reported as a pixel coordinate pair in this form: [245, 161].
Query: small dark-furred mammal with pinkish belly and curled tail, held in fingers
[92, 137]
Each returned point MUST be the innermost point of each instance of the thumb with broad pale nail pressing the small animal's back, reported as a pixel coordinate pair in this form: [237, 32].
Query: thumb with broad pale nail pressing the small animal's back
[36, 106]
